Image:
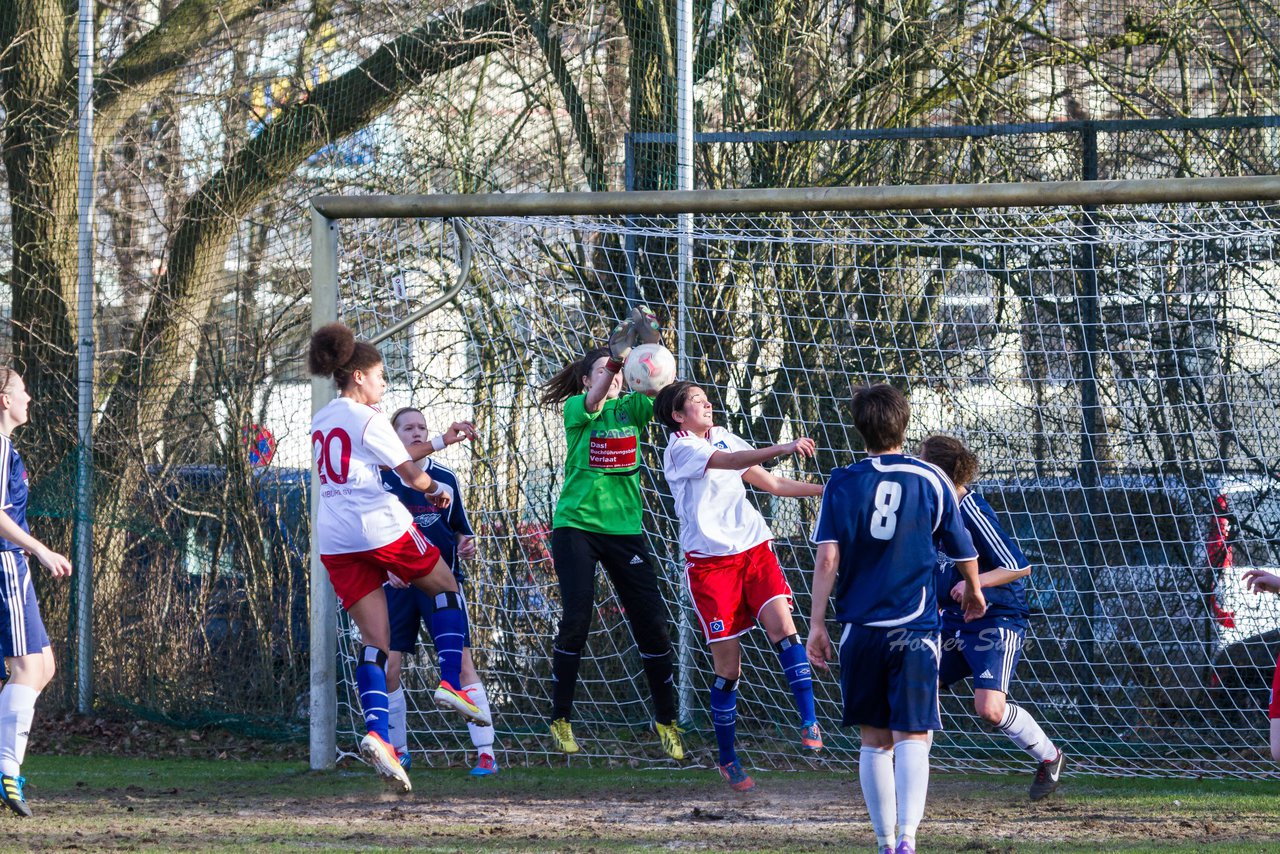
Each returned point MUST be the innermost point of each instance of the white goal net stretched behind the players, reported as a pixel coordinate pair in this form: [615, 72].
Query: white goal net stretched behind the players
[1116, 371]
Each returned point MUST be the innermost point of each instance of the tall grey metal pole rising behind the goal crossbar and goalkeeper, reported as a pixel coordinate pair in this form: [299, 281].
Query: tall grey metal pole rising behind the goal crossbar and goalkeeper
[685, 182]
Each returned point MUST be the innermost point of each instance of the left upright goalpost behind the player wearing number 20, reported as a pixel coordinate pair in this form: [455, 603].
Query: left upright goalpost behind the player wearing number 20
[324, 602]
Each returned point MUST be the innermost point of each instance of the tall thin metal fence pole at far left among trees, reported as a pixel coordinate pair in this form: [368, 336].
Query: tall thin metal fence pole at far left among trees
[84, 536]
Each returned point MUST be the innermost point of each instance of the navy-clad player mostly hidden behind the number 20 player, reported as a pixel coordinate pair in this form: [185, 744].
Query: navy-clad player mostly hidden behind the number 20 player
[450, 531]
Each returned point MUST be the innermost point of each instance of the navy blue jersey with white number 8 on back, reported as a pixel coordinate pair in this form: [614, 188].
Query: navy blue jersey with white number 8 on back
[890, 515]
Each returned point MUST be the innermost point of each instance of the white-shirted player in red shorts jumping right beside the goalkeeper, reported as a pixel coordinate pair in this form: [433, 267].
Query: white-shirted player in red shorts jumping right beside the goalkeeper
[734, 577]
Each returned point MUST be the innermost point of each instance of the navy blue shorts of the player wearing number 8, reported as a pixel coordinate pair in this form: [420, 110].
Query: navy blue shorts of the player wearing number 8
[890, 679]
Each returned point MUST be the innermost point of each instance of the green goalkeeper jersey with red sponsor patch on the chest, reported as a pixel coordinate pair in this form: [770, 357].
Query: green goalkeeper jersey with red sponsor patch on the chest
[602, 469]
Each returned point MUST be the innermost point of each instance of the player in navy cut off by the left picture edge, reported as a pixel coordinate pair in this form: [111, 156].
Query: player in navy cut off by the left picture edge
[24, 641]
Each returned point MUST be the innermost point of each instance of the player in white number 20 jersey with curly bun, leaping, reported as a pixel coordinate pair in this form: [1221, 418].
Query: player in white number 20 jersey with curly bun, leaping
[364, 533]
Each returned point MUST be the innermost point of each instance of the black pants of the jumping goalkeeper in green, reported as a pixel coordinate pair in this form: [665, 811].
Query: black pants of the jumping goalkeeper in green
[627, 560]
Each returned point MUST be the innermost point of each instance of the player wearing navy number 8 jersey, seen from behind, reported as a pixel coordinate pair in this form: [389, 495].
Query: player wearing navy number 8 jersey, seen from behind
[880, 531]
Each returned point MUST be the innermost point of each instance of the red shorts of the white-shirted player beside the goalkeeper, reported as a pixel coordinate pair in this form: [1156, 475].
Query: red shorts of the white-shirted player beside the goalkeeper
[730, 591]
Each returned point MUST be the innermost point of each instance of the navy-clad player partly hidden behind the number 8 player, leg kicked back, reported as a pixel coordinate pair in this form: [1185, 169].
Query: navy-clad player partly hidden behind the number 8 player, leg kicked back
[989, 649]
